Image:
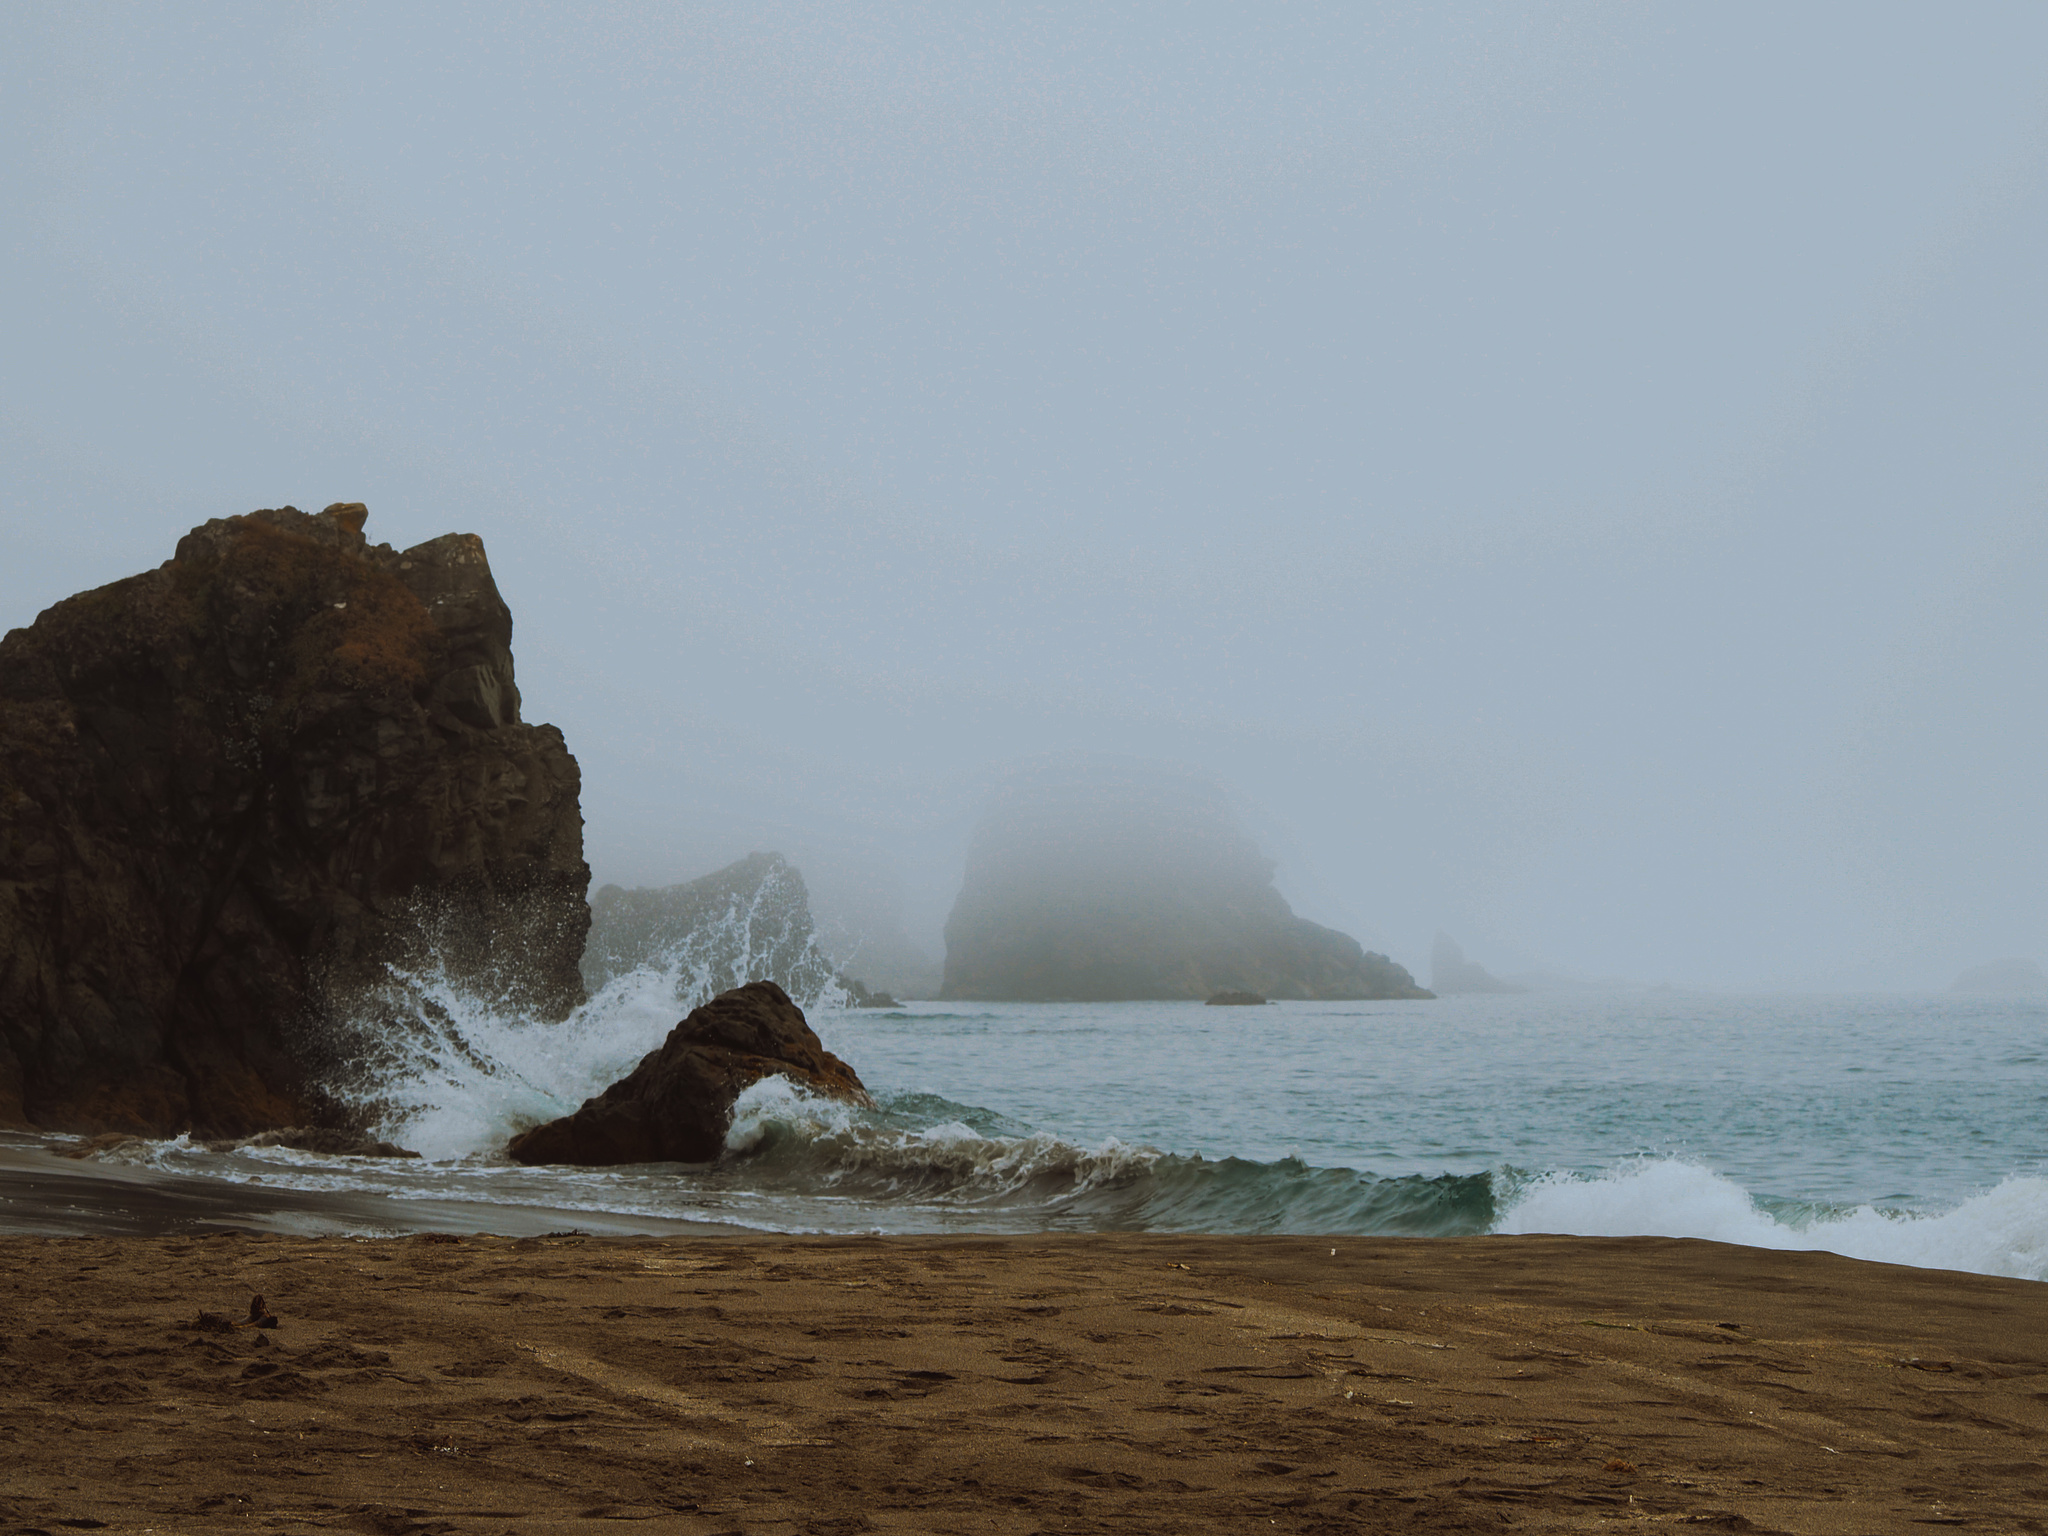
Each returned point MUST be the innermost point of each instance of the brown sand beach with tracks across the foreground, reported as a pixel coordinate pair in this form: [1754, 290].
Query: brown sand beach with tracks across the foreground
[1011, 1385]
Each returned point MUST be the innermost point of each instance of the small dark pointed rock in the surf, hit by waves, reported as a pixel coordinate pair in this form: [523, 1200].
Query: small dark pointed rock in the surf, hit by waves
[677, 1105]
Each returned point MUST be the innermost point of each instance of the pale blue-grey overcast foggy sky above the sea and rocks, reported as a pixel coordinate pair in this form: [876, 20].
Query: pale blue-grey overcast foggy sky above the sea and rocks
[1576, 474]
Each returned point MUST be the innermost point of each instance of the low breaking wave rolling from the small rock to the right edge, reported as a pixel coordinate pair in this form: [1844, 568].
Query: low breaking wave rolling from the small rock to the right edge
[906, 1154]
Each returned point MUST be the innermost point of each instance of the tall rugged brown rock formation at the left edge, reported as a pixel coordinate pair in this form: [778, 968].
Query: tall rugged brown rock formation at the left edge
[234, 790]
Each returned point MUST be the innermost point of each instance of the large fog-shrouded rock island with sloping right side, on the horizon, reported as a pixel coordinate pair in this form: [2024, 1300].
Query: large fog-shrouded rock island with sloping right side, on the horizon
[1125, 886]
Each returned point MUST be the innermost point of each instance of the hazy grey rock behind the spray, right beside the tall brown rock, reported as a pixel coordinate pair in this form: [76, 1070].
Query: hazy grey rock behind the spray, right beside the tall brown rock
[744, 923]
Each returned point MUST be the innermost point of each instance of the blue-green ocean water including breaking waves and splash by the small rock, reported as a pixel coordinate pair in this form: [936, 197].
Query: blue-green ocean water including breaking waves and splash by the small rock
[1889, 1127]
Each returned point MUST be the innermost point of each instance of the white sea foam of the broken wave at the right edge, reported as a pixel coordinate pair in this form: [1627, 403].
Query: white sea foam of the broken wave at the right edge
[2000, 1232]
